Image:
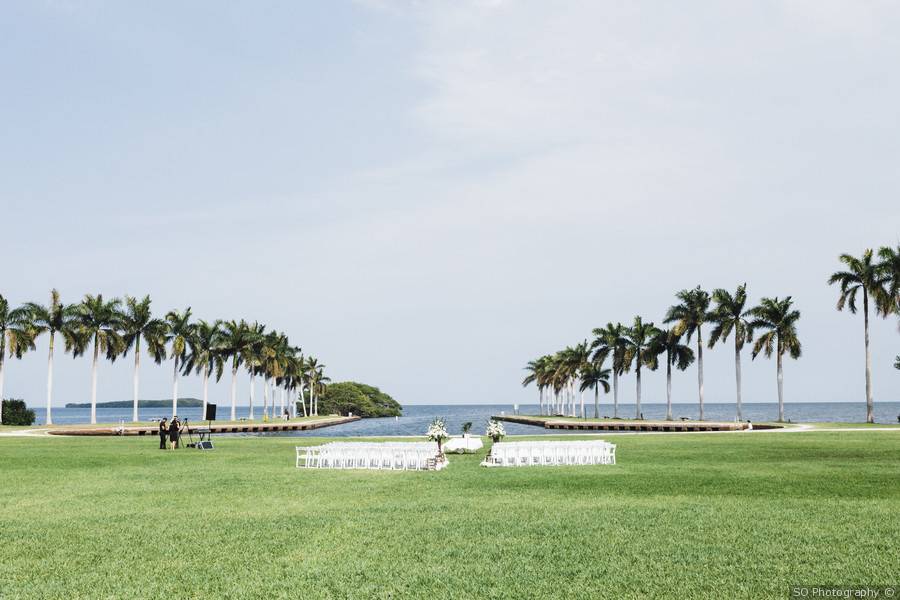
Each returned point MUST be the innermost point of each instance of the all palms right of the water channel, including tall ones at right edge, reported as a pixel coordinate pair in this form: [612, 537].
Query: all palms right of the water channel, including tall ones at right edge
[876, 276]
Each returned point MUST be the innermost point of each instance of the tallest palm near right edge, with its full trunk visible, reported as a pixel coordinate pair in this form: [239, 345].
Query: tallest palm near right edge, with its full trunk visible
[866, 275]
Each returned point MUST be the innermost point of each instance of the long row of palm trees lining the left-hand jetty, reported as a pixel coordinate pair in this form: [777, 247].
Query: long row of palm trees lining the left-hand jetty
[114, 328]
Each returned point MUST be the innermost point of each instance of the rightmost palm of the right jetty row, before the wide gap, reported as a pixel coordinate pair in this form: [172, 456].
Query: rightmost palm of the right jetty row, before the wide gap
[779, 320]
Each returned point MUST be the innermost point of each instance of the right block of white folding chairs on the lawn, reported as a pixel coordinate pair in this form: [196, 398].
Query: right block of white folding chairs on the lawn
[551, 453]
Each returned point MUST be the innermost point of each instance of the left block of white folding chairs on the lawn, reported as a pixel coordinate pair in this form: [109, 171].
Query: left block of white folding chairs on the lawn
[416, 456]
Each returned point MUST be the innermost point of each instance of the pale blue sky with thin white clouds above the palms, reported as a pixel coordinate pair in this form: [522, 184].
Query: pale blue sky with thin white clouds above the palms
[426, 195]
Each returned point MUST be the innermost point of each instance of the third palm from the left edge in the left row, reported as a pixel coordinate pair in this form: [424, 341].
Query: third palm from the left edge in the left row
[98, 324]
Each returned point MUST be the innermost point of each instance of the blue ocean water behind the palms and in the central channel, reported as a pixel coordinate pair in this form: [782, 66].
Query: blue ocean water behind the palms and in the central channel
[416, 418]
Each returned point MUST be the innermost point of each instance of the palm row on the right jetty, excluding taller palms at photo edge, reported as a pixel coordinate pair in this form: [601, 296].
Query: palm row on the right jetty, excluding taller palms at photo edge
[560, 376]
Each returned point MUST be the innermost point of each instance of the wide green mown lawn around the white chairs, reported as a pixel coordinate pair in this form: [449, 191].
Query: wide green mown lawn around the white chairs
[730, 515]
